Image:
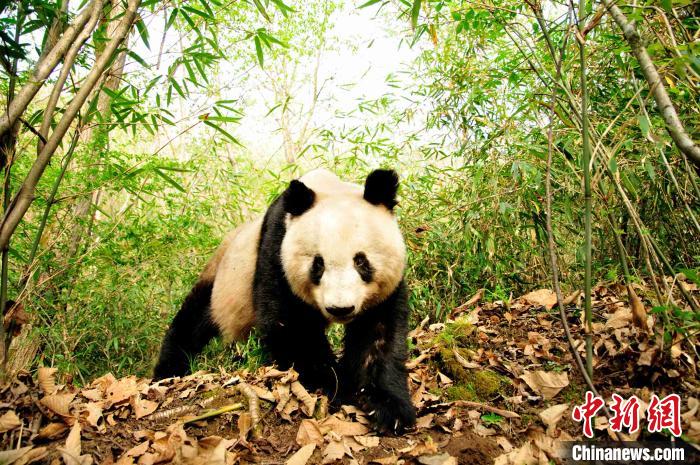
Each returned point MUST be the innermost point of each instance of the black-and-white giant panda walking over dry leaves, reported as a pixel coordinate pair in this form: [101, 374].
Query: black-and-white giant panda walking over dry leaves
[326, 251]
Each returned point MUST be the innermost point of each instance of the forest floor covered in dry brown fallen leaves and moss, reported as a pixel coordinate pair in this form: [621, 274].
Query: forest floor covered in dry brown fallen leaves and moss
[495, 384]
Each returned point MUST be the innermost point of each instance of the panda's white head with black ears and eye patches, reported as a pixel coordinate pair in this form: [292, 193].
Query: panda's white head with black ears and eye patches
[342, 251]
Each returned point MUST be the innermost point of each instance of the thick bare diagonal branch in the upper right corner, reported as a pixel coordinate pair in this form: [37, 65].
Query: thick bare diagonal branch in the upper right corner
[674, 126]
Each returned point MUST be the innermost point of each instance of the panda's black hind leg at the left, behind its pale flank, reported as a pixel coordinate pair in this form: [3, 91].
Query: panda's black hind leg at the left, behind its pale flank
[190, 331]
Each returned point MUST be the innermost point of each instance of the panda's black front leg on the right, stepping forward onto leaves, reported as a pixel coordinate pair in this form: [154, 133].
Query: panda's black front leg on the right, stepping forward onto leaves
[373, 365]
